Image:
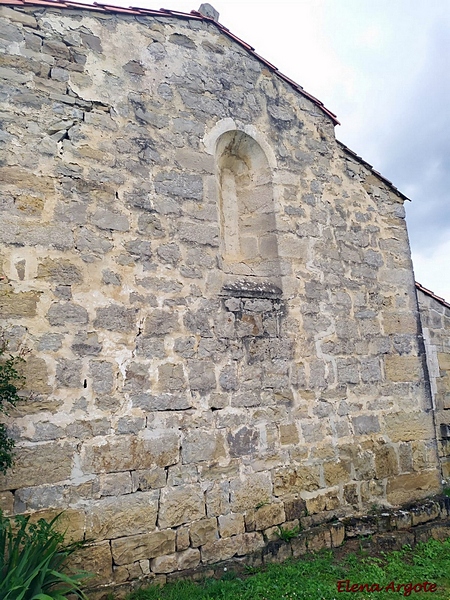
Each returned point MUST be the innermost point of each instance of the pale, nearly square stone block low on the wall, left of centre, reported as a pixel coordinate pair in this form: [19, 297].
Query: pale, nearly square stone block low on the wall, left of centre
[182, 504]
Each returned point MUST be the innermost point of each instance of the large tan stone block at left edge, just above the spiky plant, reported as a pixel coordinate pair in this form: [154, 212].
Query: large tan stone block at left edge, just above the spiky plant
[39, 464]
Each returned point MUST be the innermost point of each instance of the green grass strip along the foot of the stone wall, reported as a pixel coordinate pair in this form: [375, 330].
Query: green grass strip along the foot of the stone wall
[316, 577]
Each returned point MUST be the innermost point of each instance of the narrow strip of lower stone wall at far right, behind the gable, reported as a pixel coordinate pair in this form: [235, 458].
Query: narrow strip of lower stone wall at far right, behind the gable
[435, 319]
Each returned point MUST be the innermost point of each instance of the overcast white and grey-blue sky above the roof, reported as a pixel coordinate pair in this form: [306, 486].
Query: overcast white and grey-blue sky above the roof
[383, 66]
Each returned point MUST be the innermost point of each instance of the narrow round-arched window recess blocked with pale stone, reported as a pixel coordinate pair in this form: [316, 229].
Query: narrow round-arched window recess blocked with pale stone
[248, 227]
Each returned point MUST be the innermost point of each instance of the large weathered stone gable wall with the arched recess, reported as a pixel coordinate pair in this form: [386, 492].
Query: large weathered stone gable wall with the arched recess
[197, 379]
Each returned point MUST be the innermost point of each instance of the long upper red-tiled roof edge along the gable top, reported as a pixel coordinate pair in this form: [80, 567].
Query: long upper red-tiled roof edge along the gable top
[164, 12]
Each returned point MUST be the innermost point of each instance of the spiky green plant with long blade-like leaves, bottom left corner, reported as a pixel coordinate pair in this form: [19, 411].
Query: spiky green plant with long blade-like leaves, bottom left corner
[32, 559]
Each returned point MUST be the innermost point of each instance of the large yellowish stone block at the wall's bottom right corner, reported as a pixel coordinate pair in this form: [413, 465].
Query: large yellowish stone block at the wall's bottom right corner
[412, 486]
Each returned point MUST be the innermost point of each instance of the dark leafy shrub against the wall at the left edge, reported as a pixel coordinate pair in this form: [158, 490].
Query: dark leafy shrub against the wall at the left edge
[10, 383]
